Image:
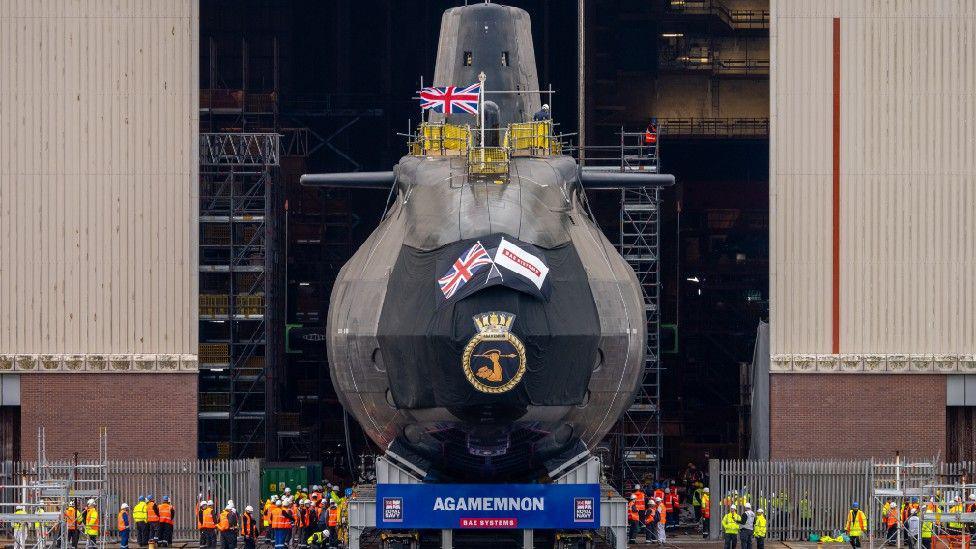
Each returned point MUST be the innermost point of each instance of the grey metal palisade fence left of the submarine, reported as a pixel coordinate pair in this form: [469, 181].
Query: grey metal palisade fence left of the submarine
[182, 481]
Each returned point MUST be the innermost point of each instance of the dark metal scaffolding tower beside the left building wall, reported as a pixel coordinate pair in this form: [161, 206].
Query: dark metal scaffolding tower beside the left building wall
[236, 178]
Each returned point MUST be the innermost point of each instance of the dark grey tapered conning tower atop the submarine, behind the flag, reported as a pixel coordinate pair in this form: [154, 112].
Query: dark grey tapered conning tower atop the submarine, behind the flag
[496, 40]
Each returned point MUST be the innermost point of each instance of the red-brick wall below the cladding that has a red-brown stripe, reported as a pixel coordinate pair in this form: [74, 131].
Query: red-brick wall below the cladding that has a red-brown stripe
[856, 415]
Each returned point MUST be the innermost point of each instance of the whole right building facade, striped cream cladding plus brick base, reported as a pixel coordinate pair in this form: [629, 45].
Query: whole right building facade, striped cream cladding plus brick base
[872, 232]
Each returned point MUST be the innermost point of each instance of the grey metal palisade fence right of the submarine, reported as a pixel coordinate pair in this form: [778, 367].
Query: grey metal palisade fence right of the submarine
[812, 497]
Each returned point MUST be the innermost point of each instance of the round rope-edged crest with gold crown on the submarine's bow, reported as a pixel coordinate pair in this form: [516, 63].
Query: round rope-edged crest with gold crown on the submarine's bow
[494, 359]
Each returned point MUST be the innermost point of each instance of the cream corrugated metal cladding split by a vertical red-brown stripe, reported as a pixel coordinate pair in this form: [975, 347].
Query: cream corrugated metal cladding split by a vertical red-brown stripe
[907, 176]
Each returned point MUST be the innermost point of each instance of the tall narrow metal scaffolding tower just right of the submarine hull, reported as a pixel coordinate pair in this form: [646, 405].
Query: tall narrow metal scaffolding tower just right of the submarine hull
[640, 439]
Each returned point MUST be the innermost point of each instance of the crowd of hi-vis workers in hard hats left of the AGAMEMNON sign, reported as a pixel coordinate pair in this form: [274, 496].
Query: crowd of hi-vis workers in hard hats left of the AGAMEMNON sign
[313, 517]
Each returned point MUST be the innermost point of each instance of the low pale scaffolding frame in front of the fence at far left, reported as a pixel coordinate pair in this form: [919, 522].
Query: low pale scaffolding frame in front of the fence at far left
[47, 495]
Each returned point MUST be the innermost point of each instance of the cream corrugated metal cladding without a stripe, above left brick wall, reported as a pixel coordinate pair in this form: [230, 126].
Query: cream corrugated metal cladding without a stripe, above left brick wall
[98, 164]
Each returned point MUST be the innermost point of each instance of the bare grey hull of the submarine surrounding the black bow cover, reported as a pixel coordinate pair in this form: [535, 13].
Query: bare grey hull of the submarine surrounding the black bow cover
[437, 204]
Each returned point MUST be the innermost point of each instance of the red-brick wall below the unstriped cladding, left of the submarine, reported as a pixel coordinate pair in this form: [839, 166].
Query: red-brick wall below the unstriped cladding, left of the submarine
[149, 416]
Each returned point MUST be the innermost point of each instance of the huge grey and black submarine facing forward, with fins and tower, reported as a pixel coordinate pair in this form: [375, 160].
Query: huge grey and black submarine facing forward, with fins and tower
[486, 330]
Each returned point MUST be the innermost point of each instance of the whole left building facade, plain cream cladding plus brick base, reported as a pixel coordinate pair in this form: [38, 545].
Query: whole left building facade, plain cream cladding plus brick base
[98, 227]
